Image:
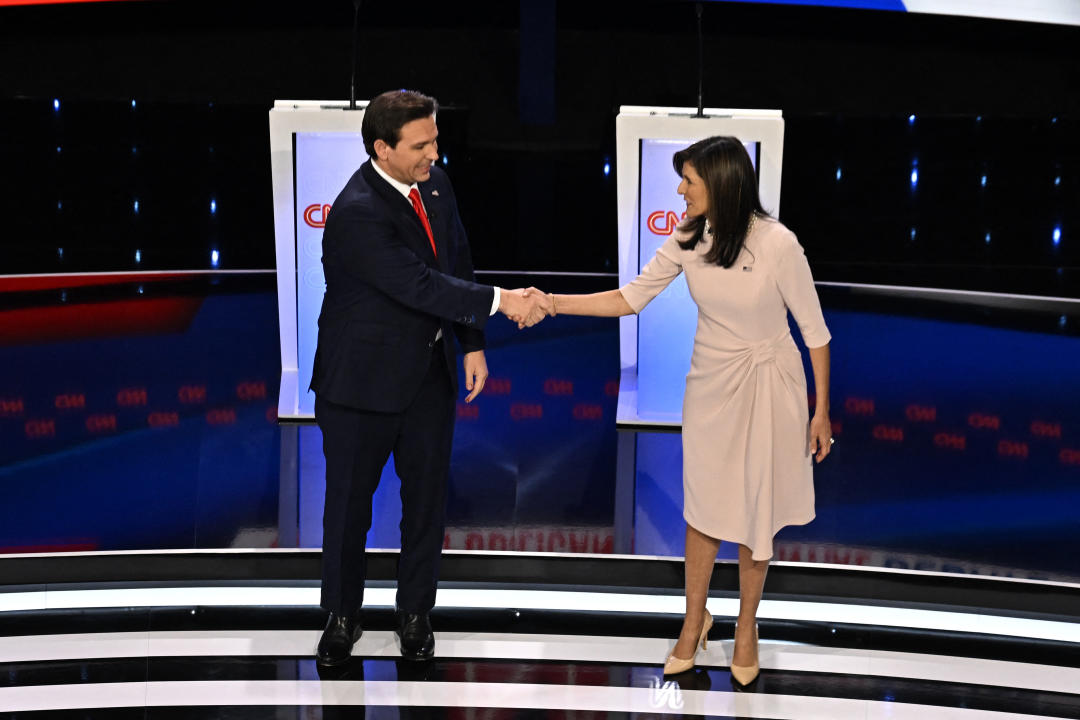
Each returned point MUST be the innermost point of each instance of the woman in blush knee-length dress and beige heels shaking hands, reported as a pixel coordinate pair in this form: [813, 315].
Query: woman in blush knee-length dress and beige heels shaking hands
[748, 441]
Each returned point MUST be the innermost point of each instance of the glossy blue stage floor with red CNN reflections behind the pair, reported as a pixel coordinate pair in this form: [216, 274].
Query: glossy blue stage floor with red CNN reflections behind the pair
[141, 415]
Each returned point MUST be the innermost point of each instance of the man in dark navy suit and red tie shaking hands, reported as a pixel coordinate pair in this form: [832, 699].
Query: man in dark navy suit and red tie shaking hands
[399, 289]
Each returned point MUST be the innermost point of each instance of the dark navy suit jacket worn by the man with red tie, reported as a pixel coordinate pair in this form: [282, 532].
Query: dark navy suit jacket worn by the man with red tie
[387, 293]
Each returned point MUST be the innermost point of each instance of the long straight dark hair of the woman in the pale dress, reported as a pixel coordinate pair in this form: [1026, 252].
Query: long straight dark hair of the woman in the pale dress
[732, 186]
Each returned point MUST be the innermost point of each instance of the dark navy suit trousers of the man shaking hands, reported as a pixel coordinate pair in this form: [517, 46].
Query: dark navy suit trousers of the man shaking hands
[358, 445]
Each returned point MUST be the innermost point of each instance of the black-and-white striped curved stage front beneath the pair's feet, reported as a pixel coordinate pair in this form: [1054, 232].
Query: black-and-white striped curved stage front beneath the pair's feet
[521, 657]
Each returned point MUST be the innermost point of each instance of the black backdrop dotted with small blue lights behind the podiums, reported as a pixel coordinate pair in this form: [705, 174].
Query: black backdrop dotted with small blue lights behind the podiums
[530, 93]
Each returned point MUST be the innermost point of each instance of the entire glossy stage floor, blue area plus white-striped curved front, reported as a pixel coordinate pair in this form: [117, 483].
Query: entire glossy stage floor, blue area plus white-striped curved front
[139, 415]
